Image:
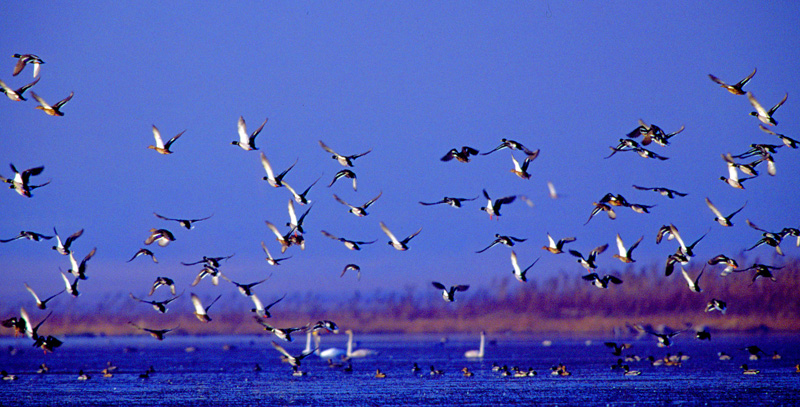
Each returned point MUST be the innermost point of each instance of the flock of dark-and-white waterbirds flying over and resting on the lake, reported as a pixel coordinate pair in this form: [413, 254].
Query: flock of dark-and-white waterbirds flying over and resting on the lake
[292, 233]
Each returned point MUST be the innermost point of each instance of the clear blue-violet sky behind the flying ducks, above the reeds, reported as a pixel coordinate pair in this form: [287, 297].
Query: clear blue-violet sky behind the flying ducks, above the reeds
[409, 80]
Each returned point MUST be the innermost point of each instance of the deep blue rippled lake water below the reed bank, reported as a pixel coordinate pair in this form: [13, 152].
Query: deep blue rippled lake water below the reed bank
[220, 371]
